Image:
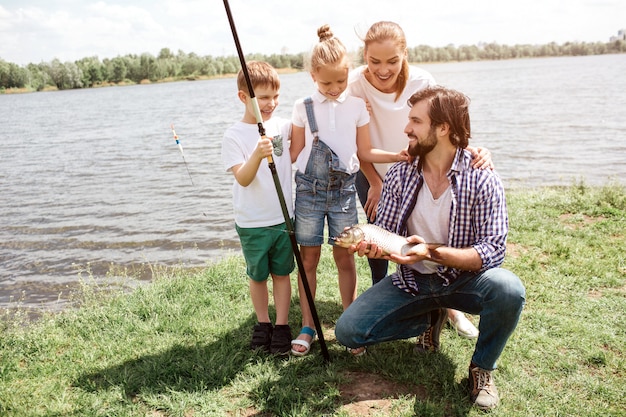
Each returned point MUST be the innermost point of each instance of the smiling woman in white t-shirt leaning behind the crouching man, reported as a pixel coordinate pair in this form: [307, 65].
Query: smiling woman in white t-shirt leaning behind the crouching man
[386, 82]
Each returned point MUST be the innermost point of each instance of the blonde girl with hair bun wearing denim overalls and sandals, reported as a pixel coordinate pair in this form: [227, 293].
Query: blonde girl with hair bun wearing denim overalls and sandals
[330, 133]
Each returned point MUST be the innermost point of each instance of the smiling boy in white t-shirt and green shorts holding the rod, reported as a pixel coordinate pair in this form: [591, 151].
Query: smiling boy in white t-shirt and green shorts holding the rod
[259, 219]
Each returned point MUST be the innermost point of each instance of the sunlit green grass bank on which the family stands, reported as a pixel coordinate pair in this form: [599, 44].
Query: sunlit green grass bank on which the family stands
[178, 347]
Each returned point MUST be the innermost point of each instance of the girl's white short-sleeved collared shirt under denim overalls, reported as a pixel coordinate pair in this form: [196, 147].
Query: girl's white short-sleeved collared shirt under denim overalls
[337, 122]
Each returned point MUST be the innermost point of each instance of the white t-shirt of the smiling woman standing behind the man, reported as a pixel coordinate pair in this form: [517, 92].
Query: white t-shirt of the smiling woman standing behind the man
[389, 116]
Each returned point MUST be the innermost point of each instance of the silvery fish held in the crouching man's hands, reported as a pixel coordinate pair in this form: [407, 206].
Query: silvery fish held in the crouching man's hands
[389, 242]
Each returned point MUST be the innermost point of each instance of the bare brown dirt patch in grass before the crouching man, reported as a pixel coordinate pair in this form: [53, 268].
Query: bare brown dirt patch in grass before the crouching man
[365, 393]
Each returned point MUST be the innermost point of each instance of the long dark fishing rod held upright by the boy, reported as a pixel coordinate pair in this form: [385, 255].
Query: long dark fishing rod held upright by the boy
[279, 190]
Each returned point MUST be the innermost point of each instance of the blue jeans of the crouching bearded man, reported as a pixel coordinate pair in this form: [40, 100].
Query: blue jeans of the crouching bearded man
[384, 312]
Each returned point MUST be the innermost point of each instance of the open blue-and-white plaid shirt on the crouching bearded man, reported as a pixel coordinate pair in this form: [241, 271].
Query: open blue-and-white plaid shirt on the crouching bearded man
[478, 215]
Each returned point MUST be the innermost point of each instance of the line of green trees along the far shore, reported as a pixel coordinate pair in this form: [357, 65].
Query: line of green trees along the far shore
[91, 71]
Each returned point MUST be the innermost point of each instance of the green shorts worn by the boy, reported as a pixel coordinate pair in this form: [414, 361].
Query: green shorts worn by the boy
[266, 250]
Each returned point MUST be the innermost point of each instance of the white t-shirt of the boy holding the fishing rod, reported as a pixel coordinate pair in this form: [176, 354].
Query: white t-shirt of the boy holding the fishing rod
[257, 205]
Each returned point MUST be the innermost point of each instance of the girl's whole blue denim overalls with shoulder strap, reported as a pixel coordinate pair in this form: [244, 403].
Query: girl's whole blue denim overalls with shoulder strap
[325, 190]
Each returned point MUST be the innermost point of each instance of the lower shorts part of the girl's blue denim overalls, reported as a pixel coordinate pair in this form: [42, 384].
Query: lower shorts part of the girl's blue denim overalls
[317, 201]
